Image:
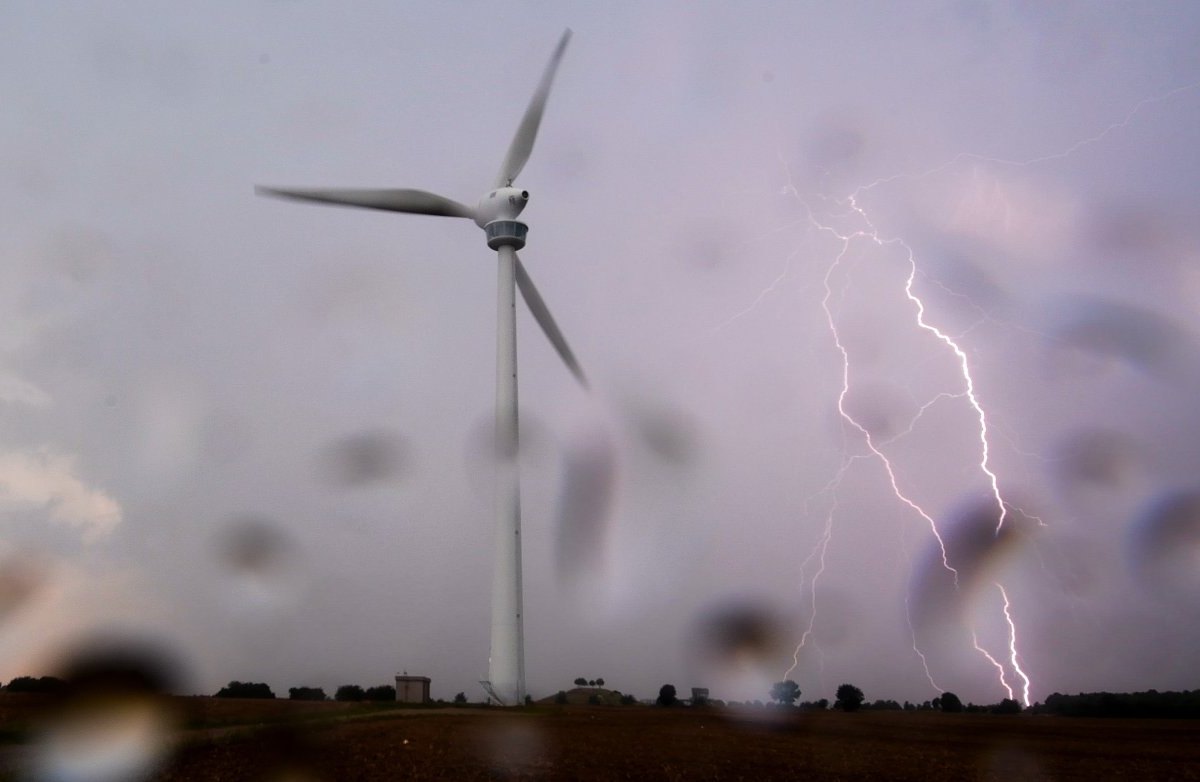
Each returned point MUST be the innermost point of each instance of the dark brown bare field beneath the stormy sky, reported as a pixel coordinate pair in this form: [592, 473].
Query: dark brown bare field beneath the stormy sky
[285, 741]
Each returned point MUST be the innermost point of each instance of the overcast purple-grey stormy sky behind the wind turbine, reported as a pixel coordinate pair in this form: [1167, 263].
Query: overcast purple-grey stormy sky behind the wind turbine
[257, 431]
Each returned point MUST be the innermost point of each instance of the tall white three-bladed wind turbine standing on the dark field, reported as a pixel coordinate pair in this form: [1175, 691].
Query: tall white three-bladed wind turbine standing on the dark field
[497, 215]
